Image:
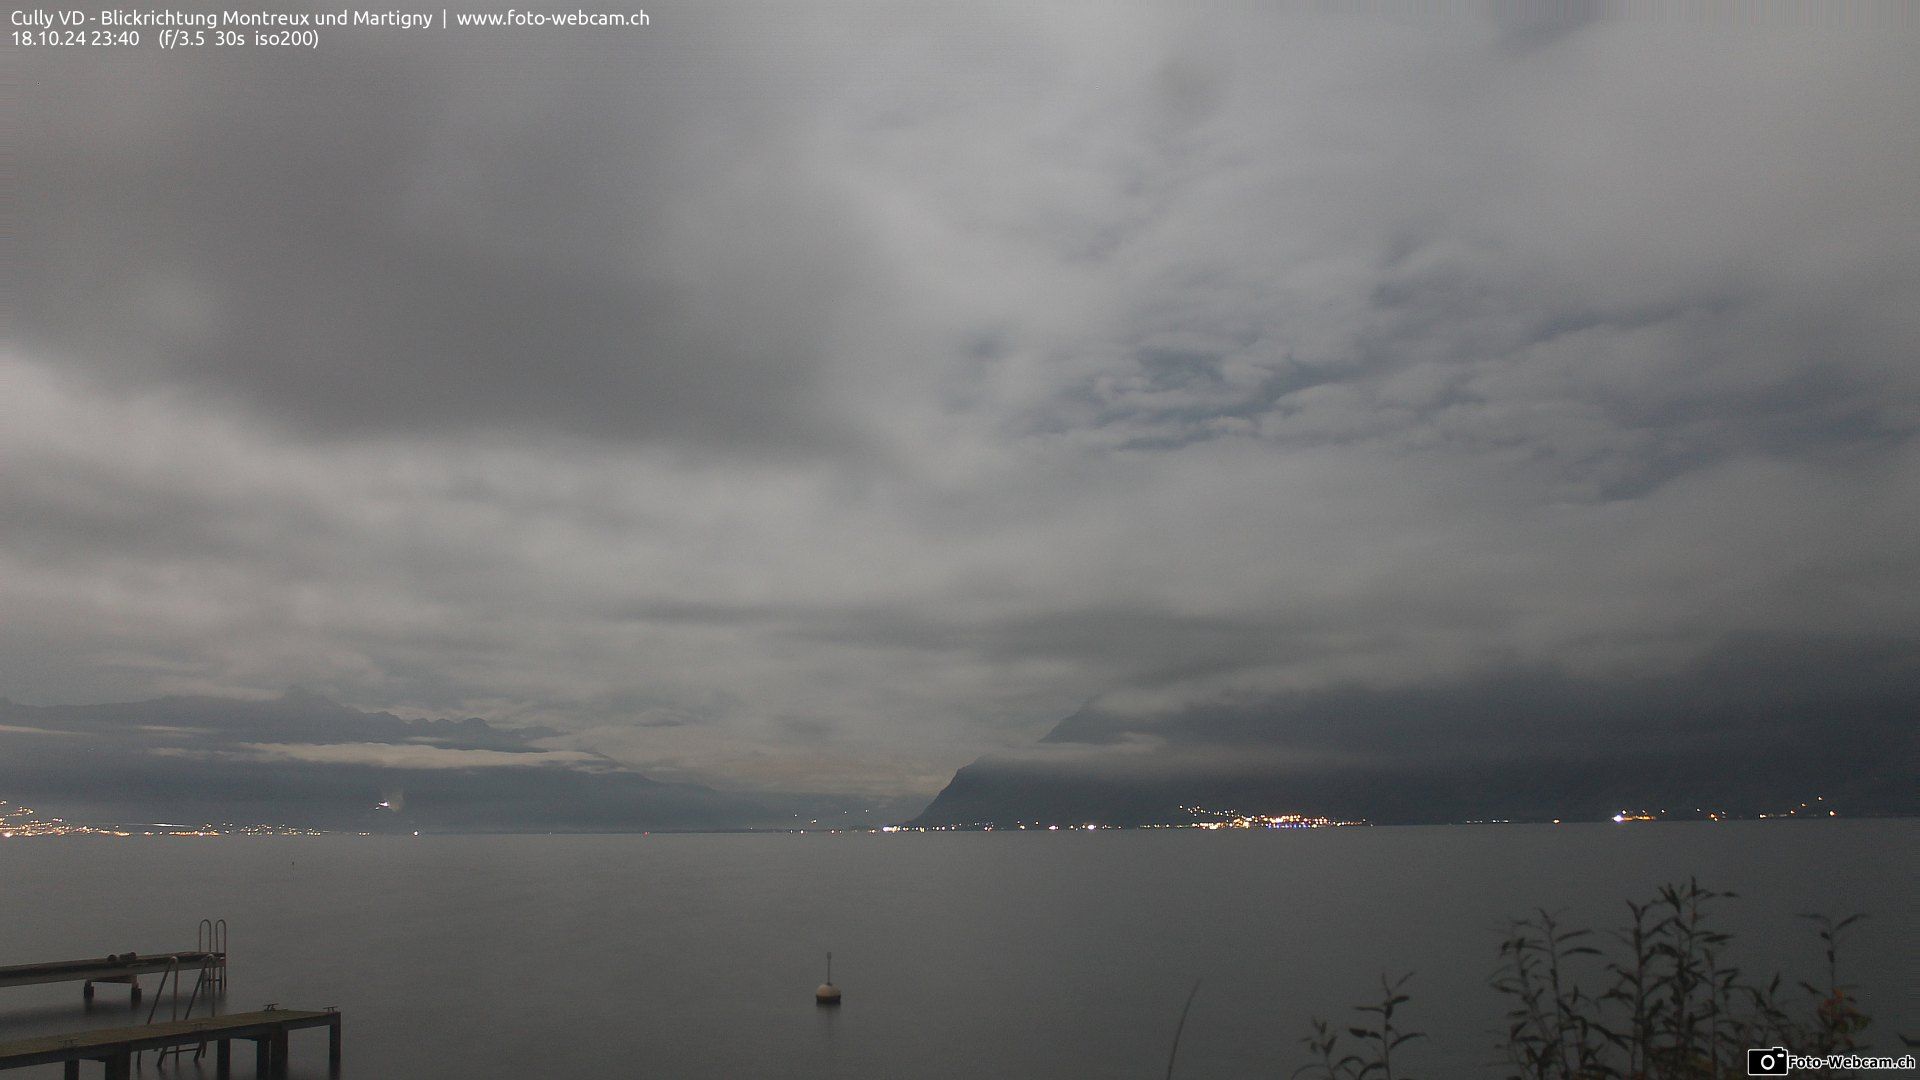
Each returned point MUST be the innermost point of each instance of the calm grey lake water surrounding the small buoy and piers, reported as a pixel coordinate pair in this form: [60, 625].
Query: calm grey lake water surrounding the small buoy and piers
[1036, 956]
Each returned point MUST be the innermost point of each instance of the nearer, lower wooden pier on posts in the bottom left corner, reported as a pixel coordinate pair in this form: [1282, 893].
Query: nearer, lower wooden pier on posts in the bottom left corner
[116, 1046]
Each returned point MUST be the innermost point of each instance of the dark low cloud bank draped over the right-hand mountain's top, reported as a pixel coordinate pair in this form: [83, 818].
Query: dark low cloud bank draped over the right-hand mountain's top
[1760, 689]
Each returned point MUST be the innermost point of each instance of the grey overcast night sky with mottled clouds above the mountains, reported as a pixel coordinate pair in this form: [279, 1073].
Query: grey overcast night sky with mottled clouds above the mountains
[815, 399]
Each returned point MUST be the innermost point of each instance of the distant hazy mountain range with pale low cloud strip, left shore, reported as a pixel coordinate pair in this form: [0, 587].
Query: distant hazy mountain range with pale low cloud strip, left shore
[308, 762]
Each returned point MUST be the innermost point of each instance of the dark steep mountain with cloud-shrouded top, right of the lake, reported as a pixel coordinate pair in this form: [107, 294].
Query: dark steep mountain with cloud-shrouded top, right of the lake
[1752, 729]
